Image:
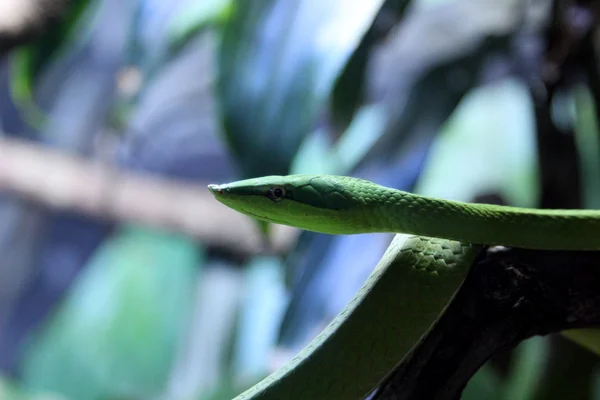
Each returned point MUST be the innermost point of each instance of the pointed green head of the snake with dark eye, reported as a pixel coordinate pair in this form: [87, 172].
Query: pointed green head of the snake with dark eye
[313, 202]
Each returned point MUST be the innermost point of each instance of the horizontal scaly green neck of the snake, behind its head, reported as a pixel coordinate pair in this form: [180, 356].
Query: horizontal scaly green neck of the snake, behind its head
[390, 210]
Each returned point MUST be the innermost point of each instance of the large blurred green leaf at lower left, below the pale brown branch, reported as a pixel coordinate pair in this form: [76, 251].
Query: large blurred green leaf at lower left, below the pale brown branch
[117, 331]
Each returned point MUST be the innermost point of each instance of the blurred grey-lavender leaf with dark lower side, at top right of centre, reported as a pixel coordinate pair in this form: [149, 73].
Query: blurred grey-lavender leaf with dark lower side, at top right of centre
[420, 86]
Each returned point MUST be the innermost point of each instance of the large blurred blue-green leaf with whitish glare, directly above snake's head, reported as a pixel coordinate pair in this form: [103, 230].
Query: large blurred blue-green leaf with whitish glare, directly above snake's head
[278, 63]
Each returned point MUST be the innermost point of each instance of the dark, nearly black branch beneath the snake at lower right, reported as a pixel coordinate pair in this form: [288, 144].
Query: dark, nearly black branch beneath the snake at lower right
[510, 295]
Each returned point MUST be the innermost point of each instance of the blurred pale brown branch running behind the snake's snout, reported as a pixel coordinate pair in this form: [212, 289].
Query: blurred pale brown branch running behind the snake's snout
[61, 181]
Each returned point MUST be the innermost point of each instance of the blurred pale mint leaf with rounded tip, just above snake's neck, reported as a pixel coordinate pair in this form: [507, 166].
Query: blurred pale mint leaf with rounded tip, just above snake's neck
[463, 163]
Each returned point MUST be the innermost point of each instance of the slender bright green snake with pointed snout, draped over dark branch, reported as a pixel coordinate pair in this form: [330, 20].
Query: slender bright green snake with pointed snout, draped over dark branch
[437, 242]
